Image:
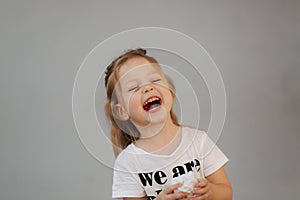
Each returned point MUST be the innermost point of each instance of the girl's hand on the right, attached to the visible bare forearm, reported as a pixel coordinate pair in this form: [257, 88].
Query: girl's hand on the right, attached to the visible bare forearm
[202, 190]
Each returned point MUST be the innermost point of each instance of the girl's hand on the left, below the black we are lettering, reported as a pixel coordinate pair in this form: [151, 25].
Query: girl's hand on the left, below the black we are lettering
[168, 193]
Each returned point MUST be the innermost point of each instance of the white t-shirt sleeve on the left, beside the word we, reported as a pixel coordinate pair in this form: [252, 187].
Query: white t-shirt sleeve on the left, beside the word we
[125, 183]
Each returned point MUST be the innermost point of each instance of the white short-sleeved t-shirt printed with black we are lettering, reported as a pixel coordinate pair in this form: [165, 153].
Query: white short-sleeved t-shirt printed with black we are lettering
[138, 173]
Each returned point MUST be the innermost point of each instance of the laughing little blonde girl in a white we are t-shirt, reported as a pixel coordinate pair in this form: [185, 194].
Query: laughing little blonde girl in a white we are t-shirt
[152, 149]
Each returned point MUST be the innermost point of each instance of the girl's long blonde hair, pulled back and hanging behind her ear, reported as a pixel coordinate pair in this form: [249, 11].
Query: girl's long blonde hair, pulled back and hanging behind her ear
[123, 133]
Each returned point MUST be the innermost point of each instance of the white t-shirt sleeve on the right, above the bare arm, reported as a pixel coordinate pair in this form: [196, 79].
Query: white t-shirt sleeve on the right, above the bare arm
[213, 157]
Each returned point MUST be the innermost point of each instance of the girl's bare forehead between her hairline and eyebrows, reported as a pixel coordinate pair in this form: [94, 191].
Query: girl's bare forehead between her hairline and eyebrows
[137, 66]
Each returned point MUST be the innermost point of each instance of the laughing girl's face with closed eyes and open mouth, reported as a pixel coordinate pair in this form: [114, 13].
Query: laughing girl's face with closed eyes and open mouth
[145, 94]
